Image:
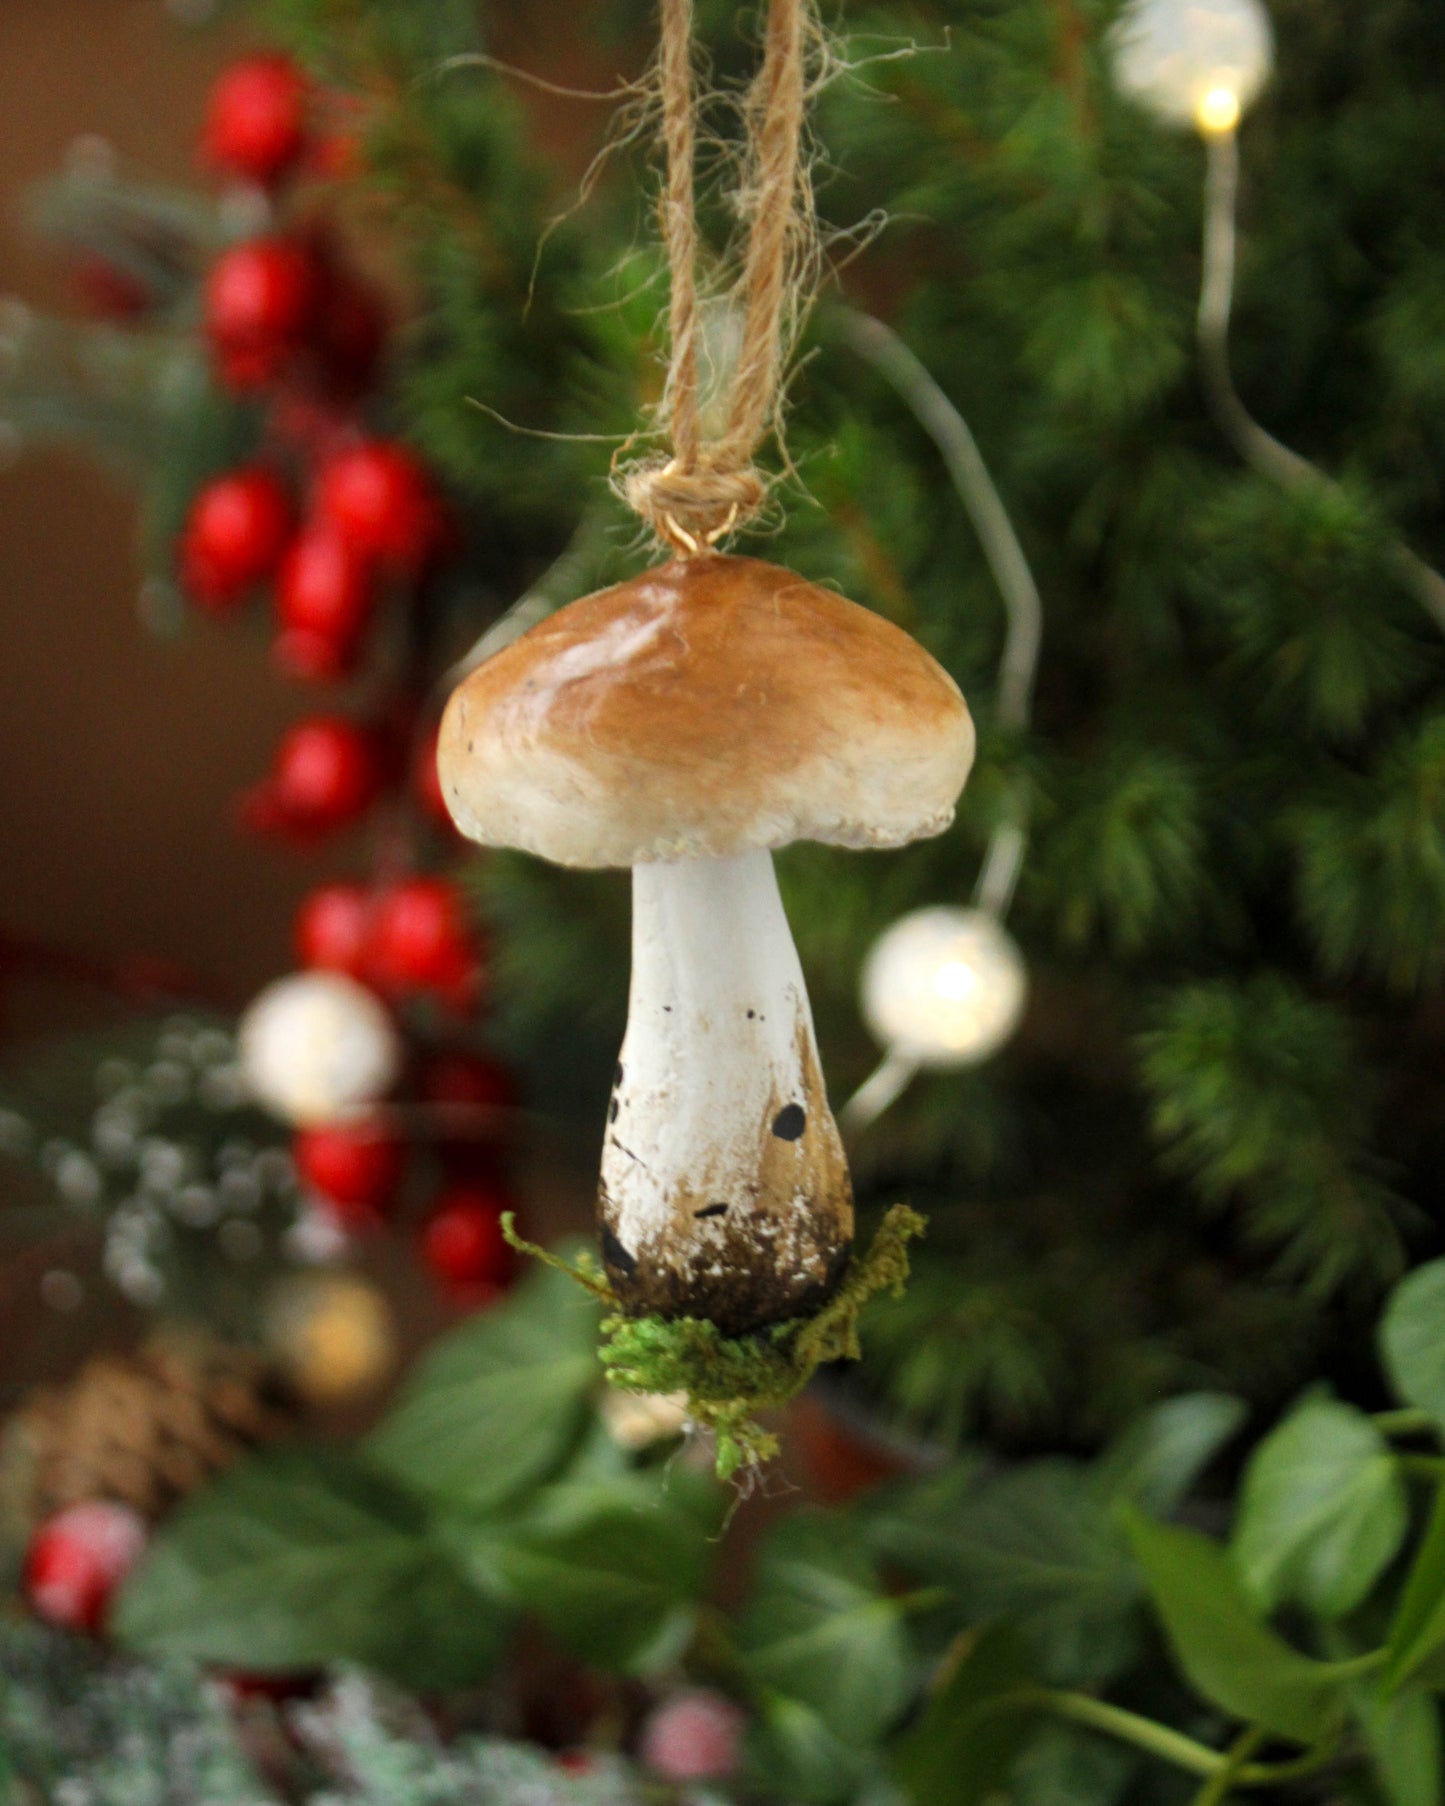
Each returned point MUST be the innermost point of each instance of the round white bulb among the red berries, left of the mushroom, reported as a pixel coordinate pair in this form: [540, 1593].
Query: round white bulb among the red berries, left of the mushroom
[317, 1047]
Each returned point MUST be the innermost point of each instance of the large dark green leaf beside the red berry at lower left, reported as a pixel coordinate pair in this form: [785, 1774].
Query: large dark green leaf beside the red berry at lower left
[301, 1559]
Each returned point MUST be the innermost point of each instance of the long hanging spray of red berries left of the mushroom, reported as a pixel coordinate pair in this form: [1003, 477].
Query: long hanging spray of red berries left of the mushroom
[339, 523]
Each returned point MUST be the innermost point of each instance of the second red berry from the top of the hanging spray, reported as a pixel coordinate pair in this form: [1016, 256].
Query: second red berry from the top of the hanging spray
[261, 304]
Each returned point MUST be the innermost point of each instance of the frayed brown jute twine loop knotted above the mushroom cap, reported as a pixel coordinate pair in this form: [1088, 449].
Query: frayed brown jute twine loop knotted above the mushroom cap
[709, 485]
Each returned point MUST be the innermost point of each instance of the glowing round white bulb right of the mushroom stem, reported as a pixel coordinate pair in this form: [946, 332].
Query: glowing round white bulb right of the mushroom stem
[946, 987]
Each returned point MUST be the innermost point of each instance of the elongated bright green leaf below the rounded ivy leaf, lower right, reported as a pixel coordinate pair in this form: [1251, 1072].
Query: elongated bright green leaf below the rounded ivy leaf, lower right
[1233, 1659]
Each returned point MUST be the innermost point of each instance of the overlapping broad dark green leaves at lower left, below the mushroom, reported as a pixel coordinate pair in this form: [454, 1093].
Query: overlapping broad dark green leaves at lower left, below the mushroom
[487, 1493]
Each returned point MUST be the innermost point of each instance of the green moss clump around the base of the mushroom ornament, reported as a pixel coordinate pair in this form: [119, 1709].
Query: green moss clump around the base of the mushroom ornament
[729, 1381]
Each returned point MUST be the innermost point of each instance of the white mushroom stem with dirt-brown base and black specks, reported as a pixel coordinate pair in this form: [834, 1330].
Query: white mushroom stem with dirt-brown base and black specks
[723, 1180]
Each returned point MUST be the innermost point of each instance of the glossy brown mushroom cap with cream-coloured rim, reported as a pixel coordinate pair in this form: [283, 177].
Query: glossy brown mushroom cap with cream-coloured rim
[702, 711]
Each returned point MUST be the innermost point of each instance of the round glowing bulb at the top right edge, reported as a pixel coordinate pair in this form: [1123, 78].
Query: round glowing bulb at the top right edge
[1195, 62]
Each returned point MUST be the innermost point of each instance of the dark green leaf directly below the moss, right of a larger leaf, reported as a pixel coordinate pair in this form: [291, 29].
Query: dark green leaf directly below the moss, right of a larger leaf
[611, 1572]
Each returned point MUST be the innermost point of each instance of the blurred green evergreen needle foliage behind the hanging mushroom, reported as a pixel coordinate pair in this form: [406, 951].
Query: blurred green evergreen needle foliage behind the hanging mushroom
[1209, 1146]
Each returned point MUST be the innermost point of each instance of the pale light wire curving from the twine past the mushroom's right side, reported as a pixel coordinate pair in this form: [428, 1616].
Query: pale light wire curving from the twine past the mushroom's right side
[1018, 667]
